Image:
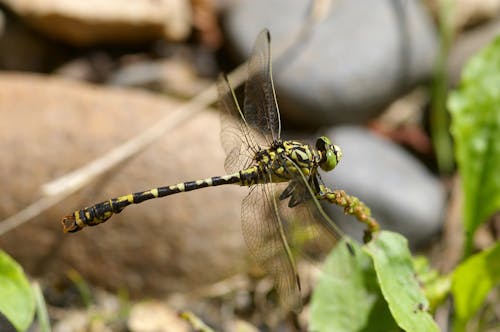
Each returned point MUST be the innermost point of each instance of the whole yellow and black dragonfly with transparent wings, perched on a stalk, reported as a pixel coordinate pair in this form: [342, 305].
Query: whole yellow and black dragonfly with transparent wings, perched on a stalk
[275, 170]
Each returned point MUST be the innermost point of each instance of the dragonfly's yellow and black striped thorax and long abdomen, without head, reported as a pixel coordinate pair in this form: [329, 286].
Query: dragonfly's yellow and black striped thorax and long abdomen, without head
[281, 161]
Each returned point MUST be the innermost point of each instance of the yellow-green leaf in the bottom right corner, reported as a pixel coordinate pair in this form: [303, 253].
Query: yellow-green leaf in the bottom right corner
[472, 281]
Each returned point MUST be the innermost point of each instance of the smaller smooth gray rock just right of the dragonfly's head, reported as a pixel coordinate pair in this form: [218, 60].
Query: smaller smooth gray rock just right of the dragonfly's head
[402, 194]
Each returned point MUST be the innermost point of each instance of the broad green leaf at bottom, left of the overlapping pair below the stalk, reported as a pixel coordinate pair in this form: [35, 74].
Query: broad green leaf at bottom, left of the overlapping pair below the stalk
[347, 297]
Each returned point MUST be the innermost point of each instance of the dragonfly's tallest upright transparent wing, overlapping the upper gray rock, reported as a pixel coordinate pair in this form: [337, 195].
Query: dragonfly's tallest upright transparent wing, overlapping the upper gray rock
[260, 108]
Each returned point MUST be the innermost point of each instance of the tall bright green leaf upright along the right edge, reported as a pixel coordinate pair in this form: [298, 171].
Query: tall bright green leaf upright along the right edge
[475, 111]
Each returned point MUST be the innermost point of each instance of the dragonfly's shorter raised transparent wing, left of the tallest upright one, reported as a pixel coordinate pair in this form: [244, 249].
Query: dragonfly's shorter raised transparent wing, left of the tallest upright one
[236, 138]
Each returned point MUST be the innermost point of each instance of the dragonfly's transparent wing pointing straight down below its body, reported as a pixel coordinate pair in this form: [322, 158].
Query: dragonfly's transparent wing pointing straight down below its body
[266, 241]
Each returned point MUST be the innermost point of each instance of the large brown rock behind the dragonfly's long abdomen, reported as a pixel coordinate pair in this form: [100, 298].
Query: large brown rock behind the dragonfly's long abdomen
[50, 126]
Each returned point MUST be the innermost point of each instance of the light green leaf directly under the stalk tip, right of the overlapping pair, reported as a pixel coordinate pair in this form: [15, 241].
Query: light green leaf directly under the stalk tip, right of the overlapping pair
[393, 266]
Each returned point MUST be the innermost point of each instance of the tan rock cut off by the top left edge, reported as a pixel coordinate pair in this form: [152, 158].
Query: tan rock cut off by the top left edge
[93, 21]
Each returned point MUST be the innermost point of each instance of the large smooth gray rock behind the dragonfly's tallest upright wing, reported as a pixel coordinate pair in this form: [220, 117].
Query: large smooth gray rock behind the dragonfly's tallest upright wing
[352, 64]
